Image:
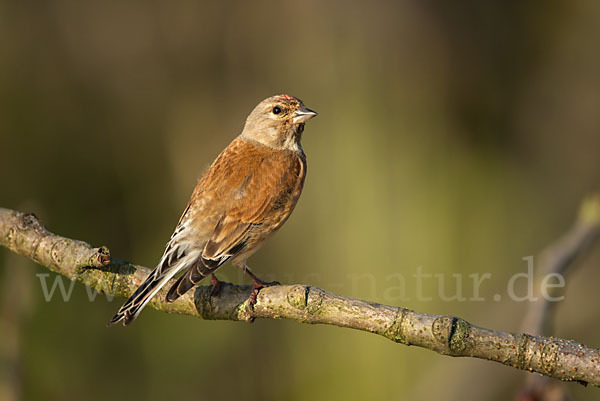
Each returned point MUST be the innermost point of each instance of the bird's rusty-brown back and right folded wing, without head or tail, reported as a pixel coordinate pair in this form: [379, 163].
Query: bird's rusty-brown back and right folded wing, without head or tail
[256, 189]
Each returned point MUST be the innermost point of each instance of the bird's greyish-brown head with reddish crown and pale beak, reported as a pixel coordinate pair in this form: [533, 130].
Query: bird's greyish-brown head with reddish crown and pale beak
[278, 122]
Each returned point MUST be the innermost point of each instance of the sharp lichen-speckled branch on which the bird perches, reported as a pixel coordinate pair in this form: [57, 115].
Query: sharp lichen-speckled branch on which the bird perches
[448, 335]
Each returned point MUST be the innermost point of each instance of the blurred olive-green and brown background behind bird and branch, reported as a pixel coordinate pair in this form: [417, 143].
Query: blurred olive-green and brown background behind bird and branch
[458, 137]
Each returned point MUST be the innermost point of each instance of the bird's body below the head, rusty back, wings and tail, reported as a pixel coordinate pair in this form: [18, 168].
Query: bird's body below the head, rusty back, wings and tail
[248, 192]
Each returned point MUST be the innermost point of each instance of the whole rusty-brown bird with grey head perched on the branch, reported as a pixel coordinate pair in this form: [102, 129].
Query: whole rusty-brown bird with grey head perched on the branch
[247, 194]
